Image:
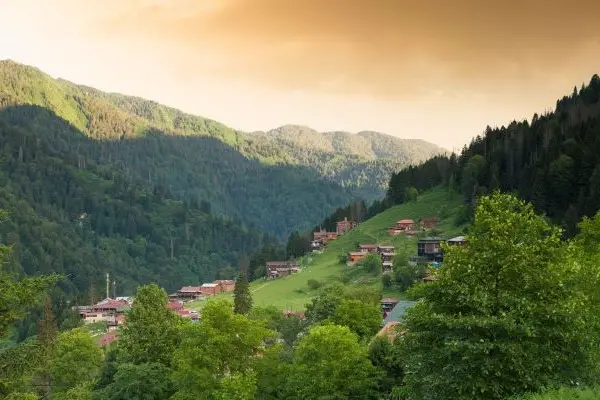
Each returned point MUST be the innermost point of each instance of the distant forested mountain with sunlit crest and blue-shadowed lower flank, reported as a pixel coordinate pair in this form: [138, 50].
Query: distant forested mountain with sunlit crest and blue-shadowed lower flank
[262, 180]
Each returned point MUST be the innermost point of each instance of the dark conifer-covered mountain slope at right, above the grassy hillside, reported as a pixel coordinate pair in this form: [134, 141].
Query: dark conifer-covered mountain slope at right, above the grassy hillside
[552, 161]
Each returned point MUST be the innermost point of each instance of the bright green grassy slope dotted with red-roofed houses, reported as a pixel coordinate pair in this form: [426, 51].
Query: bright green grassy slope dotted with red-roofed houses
[292, 292]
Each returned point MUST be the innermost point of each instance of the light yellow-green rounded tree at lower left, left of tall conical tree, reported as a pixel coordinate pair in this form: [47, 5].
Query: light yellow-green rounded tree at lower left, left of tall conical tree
[77, 360]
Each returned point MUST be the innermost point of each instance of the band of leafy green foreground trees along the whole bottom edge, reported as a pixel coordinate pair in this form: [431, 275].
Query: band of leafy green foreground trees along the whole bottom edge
[515, 312]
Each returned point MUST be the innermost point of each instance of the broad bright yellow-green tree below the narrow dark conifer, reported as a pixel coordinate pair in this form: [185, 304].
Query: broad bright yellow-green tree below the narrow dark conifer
[222, 346]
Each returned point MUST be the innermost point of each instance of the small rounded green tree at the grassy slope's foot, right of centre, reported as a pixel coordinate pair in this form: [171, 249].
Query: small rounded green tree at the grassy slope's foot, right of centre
[362, 318]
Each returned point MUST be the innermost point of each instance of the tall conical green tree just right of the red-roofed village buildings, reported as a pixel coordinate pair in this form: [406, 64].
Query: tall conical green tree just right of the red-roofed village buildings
[150, 334]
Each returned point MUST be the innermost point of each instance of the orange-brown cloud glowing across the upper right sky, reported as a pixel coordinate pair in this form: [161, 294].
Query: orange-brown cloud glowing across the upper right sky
[382, 48]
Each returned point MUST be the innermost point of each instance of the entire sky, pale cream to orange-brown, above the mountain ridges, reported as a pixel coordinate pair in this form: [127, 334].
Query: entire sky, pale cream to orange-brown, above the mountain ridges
[437, 70]
